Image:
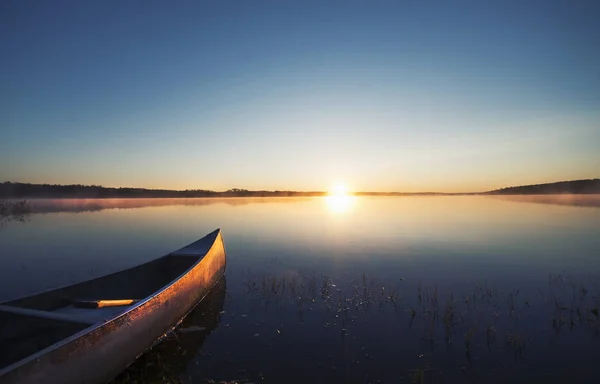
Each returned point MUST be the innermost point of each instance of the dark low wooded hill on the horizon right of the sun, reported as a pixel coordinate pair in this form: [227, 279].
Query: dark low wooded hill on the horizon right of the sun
[590, 186]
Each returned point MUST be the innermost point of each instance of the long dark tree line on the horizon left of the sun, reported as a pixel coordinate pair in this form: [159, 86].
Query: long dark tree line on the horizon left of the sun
[25, 190]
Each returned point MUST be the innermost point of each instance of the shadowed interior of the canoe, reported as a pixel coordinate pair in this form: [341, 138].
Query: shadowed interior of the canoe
[30, 324]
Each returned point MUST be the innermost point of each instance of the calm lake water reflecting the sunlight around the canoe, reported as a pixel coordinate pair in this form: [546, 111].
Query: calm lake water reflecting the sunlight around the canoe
[345, 289]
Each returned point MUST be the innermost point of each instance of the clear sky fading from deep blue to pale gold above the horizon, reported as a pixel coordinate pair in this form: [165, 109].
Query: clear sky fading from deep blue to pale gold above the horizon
[452, 96]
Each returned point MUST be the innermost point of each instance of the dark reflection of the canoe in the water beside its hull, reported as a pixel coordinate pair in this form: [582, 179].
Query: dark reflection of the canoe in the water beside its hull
[166, 362]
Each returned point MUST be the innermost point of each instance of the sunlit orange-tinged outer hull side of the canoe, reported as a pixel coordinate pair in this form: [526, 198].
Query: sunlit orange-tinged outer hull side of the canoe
[99, 353]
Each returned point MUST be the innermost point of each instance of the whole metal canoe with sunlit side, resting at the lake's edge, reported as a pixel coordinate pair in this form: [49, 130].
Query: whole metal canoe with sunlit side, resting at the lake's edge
[91, 331]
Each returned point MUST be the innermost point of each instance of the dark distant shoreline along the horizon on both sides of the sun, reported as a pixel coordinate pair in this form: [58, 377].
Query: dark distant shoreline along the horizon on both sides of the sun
[10, 190]
